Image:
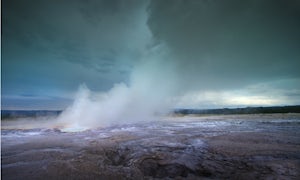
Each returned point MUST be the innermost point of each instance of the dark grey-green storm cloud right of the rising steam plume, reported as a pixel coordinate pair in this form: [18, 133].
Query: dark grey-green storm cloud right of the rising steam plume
[226, 44]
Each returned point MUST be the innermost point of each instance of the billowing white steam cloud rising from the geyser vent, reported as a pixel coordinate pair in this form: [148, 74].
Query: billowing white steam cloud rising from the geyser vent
[146, 96]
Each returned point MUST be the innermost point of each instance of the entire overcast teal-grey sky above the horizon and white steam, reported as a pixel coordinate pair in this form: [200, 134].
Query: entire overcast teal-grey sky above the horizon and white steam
[197, 53]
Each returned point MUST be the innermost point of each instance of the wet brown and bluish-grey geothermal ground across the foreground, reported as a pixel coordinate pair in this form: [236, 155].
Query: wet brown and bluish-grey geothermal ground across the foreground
[257, 146]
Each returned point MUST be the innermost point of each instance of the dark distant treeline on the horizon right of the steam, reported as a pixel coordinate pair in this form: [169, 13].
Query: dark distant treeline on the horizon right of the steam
[247, 110]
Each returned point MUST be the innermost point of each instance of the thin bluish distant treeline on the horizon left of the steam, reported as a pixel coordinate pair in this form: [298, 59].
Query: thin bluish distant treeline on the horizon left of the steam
[10, 114]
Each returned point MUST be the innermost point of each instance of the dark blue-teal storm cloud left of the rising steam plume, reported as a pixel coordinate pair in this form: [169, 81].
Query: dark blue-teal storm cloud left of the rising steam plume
[45, 42]
